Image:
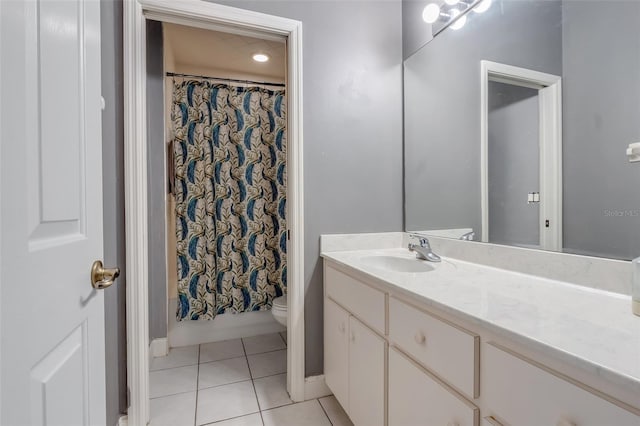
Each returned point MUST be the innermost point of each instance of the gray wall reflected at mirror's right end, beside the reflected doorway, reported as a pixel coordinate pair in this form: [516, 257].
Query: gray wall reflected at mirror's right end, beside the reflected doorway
[601, 86]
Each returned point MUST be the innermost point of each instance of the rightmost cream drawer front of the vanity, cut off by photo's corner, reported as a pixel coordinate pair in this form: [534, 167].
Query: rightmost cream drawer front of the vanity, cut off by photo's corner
[520, 393]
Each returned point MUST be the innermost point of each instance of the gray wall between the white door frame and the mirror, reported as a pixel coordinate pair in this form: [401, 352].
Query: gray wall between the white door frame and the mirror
[352, 129]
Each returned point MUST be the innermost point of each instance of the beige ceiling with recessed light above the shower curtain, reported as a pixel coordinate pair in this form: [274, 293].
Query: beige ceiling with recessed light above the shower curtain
[204, 49]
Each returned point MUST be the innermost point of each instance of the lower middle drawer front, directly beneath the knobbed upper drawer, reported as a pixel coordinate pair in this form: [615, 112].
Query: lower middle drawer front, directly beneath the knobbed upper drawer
[416, 398]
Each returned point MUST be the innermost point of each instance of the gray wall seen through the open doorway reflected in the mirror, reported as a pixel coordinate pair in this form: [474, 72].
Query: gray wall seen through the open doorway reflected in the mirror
[514, 164]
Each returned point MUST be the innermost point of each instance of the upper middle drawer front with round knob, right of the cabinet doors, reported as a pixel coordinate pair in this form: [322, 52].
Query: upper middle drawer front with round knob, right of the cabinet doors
[448, 351]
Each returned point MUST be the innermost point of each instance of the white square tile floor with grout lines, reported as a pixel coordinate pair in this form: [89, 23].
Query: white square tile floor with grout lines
[233, 383]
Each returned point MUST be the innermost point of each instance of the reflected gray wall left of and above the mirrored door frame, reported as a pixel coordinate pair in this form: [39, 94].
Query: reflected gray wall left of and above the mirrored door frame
[442, 106]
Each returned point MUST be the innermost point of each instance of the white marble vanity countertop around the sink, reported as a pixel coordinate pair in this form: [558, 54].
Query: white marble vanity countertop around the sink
[590, 328]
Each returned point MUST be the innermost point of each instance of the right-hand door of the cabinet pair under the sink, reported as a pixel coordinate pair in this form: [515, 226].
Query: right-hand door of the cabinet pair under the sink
[366, 375]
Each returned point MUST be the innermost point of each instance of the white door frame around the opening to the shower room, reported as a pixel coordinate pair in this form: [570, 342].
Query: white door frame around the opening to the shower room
[202, 14]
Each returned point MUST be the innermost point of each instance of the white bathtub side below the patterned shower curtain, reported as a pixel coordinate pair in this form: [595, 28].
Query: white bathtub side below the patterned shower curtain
[223, 327]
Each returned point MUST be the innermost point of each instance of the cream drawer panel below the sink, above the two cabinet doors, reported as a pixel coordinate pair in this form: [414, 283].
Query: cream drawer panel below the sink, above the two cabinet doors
[366, 303]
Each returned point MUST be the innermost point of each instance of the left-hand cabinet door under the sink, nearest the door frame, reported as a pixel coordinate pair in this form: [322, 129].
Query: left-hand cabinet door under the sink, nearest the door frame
[336, 351]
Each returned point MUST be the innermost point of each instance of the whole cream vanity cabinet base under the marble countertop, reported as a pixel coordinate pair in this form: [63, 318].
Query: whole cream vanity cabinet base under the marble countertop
[391, 360]
